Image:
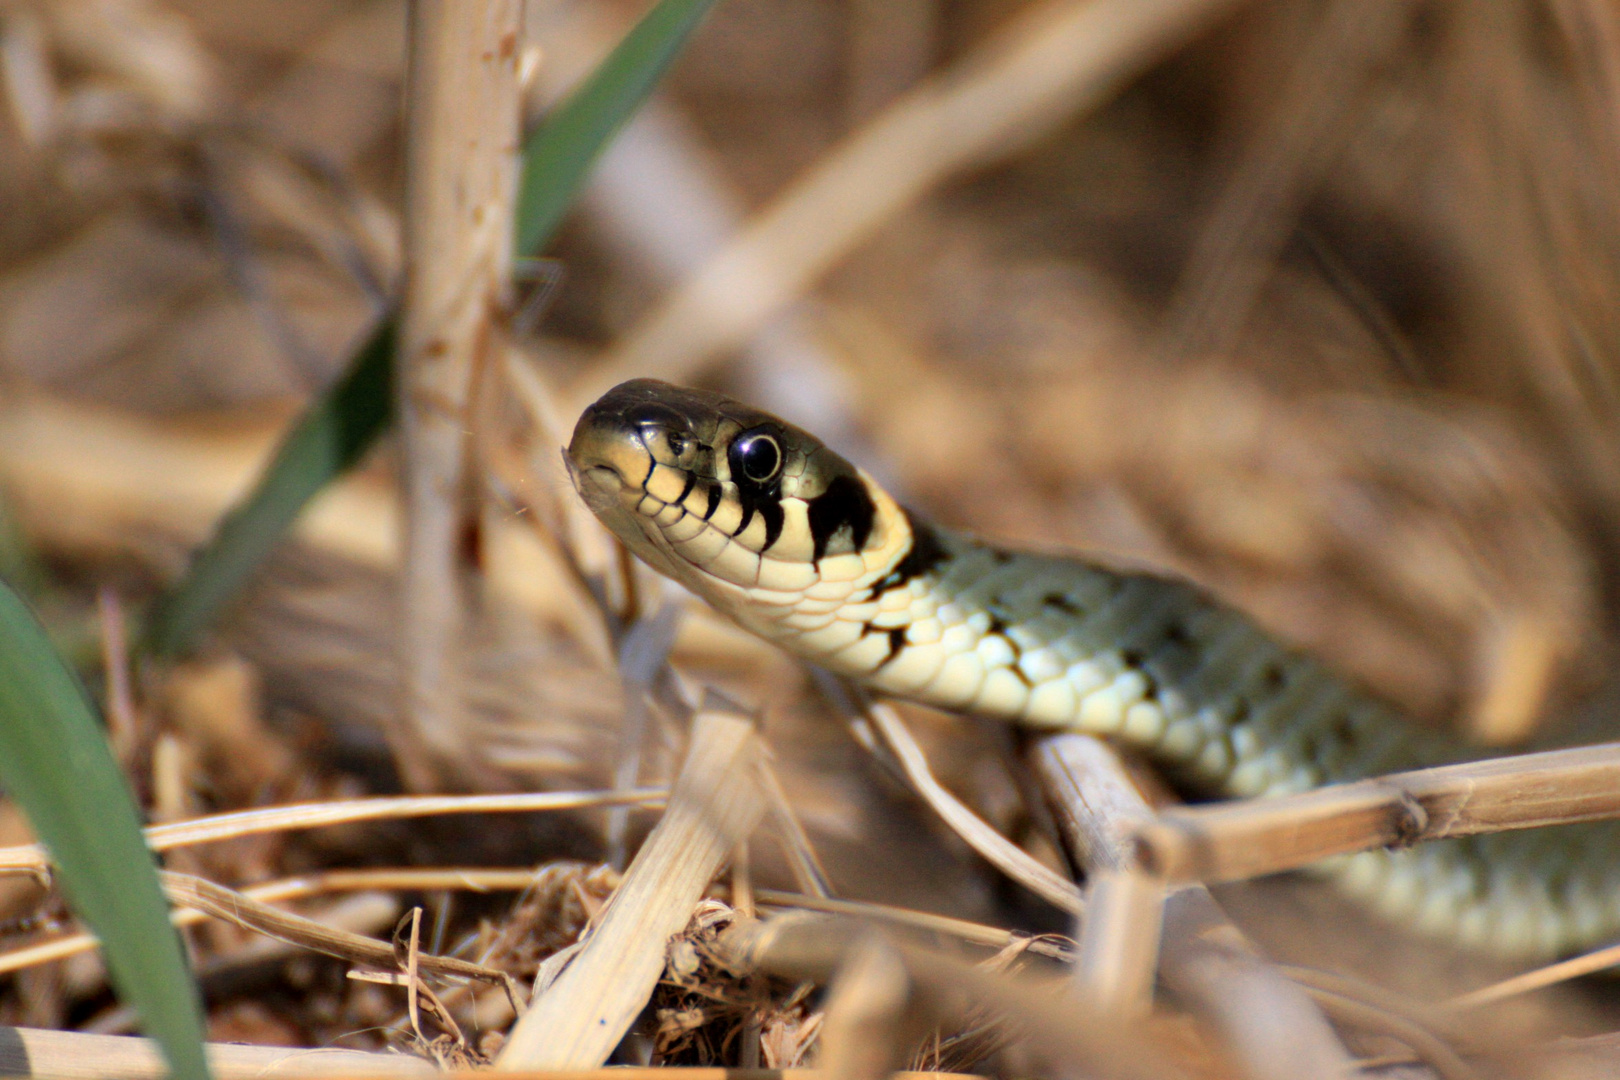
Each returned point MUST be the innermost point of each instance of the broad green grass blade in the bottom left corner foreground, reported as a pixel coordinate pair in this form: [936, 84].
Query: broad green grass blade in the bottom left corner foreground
[54, 762]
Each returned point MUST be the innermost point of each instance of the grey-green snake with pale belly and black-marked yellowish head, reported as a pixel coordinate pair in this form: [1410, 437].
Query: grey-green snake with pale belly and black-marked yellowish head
[804, 550]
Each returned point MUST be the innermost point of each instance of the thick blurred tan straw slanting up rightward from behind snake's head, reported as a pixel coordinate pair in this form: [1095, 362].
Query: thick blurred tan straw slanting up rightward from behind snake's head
[1054, 62]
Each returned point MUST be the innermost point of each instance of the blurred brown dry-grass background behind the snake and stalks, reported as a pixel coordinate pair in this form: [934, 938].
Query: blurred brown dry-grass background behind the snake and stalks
[1319, 312]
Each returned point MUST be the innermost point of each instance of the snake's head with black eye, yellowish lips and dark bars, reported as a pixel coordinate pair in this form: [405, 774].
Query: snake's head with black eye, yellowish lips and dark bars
[727, 498]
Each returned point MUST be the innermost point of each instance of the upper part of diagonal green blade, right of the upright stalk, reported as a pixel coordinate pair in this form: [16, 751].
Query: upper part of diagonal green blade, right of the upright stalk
[561, 151]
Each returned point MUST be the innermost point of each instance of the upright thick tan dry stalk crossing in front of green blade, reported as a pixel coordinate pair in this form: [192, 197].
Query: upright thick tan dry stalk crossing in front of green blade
[461, 177]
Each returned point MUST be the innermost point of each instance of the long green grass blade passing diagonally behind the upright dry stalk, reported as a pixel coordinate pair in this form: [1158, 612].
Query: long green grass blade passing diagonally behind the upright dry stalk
[339, 428]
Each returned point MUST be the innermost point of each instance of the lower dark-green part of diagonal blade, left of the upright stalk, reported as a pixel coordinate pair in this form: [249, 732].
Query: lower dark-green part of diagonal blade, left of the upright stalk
[330, 438]
